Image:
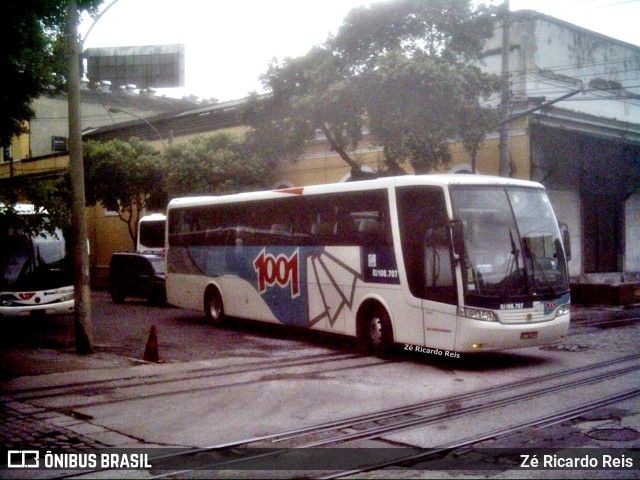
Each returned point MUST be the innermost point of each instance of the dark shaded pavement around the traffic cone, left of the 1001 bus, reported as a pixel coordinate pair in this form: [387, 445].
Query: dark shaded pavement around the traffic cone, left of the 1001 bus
[121, 333]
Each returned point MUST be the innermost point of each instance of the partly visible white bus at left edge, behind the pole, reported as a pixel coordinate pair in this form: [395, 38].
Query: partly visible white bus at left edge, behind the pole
[35, 273]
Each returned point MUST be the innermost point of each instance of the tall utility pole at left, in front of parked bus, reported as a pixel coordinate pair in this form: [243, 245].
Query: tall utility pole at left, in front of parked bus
[80, 248]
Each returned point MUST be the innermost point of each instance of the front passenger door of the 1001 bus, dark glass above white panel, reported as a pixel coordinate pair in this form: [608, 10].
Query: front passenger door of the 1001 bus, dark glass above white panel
[430, 271]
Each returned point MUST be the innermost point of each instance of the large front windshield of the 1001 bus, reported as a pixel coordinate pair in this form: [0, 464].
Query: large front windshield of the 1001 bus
[512, 243]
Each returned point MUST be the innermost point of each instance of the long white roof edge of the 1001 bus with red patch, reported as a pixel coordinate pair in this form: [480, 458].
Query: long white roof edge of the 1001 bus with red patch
[432, 179]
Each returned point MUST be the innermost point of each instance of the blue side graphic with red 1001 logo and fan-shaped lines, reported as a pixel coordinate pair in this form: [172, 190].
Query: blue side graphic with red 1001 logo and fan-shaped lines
[281, 276]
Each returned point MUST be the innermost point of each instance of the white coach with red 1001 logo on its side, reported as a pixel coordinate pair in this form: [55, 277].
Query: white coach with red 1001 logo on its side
[453, 263]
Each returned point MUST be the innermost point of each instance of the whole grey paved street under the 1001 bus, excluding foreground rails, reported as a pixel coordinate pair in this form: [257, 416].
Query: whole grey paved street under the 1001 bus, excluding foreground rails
[263, 401]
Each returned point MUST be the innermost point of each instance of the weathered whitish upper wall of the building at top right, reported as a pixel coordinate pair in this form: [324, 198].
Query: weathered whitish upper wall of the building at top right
[549, 57]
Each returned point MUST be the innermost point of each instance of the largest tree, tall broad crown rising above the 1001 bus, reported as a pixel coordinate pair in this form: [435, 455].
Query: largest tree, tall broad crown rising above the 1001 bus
[406, 70]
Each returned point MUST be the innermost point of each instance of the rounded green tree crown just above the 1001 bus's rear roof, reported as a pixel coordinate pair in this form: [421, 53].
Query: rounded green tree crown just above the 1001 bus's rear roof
[214, 165]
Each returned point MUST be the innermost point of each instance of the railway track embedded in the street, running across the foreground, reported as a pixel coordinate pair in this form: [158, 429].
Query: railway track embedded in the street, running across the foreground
[384, 426]
